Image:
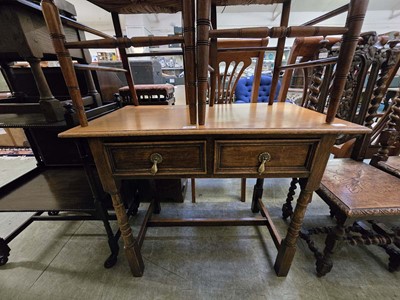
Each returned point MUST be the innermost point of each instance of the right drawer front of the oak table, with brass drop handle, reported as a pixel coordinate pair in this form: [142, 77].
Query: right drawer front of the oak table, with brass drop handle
[243, 157]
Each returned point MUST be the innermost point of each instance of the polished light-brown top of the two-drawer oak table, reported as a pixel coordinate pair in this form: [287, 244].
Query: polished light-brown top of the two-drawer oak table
[254, 118]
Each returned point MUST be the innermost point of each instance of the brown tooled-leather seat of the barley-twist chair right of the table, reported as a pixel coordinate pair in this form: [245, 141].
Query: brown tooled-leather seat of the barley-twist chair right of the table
[359, 190]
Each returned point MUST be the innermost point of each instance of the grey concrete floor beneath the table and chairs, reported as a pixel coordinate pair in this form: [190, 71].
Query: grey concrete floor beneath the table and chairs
[64, 260]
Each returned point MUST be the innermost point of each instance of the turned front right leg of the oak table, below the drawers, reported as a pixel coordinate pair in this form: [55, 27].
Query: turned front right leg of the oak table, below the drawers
[287, 249]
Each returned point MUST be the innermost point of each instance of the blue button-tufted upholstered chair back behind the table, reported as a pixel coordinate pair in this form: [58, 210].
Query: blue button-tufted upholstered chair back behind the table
[245, 84]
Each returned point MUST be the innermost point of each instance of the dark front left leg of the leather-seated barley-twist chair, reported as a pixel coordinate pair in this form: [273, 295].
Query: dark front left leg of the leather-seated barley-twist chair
[324, 264]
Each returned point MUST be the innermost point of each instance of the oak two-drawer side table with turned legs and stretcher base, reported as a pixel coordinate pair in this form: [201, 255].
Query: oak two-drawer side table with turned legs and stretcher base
[251, 140]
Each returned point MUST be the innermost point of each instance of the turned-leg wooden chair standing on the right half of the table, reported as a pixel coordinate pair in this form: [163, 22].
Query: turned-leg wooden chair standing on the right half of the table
[206, 10]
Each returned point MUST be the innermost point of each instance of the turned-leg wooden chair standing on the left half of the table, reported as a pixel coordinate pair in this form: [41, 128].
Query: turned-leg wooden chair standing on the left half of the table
[120, 42]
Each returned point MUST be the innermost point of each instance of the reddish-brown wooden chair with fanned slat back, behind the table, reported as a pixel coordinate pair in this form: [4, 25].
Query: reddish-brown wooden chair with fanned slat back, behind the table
[228, 62]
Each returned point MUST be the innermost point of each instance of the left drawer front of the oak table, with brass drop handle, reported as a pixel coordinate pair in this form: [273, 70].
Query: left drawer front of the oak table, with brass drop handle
[178, 158]
